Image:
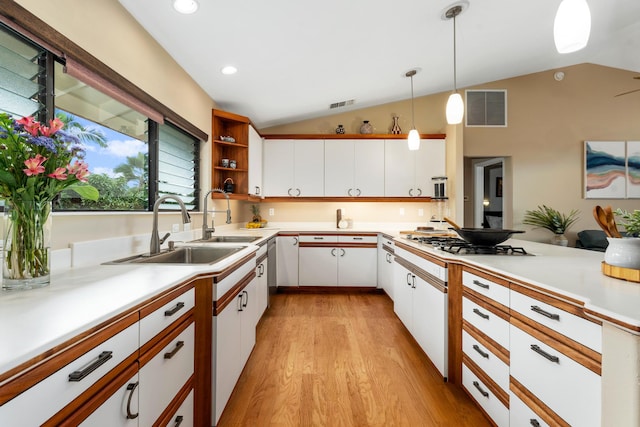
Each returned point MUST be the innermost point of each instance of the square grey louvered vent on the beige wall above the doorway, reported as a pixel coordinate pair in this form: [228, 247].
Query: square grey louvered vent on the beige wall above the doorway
[486, 108]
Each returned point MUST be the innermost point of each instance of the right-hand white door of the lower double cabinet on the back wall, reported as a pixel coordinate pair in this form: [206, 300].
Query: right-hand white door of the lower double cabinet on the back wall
[357, 266]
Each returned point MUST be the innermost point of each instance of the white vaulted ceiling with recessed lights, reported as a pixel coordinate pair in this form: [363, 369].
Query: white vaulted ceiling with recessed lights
[295, 58]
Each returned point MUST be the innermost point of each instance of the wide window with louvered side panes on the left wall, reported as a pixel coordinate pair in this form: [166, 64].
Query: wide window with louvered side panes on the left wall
[133, 160]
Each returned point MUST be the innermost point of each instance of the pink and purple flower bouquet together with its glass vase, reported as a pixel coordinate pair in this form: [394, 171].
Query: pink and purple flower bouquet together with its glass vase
[37, 163]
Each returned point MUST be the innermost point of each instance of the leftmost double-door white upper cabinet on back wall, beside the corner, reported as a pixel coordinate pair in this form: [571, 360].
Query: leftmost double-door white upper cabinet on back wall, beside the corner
[293, 168]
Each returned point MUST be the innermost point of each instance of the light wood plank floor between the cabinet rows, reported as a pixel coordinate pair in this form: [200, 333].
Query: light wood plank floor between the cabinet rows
[342, 360]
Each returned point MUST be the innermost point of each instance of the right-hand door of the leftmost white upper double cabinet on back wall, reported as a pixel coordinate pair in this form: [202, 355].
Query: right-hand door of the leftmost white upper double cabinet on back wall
[309, 168]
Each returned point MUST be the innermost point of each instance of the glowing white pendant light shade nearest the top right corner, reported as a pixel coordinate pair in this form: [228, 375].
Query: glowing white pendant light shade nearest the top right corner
[572, 26]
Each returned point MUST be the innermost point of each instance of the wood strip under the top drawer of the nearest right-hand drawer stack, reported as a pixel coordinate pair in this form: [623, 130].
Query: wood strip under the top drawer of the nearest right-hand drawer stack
[585, 356]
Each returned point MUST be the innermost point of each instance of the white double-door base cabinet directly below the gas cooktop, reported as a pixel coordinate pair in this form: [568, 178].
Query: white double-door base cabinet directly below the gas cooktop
[420, 301]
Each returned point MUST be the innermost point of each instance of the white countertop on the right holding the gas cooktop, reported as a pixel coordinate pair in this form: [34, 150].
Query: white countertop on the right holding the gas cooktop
[575, 273]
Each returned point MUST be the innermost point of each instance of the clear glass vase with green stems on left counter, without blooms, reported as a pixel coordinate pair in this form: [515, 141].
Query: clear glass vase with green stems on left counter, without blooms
[26, 254]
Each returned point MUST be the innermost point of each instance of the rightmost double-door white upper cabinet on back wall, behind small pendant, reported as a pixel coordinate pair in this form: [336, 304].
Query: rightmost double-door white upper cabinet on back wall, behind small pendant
[408, 173]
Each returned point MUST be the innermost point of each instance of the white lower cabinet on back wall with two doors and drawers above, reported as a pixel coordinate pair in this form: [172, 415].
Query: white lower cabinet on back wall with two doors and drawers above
[338, 260]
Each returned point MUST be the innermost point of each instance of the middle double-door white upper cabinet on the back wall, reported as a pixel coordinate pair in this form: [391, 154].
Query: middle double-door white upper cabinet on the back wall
[354, 168]
